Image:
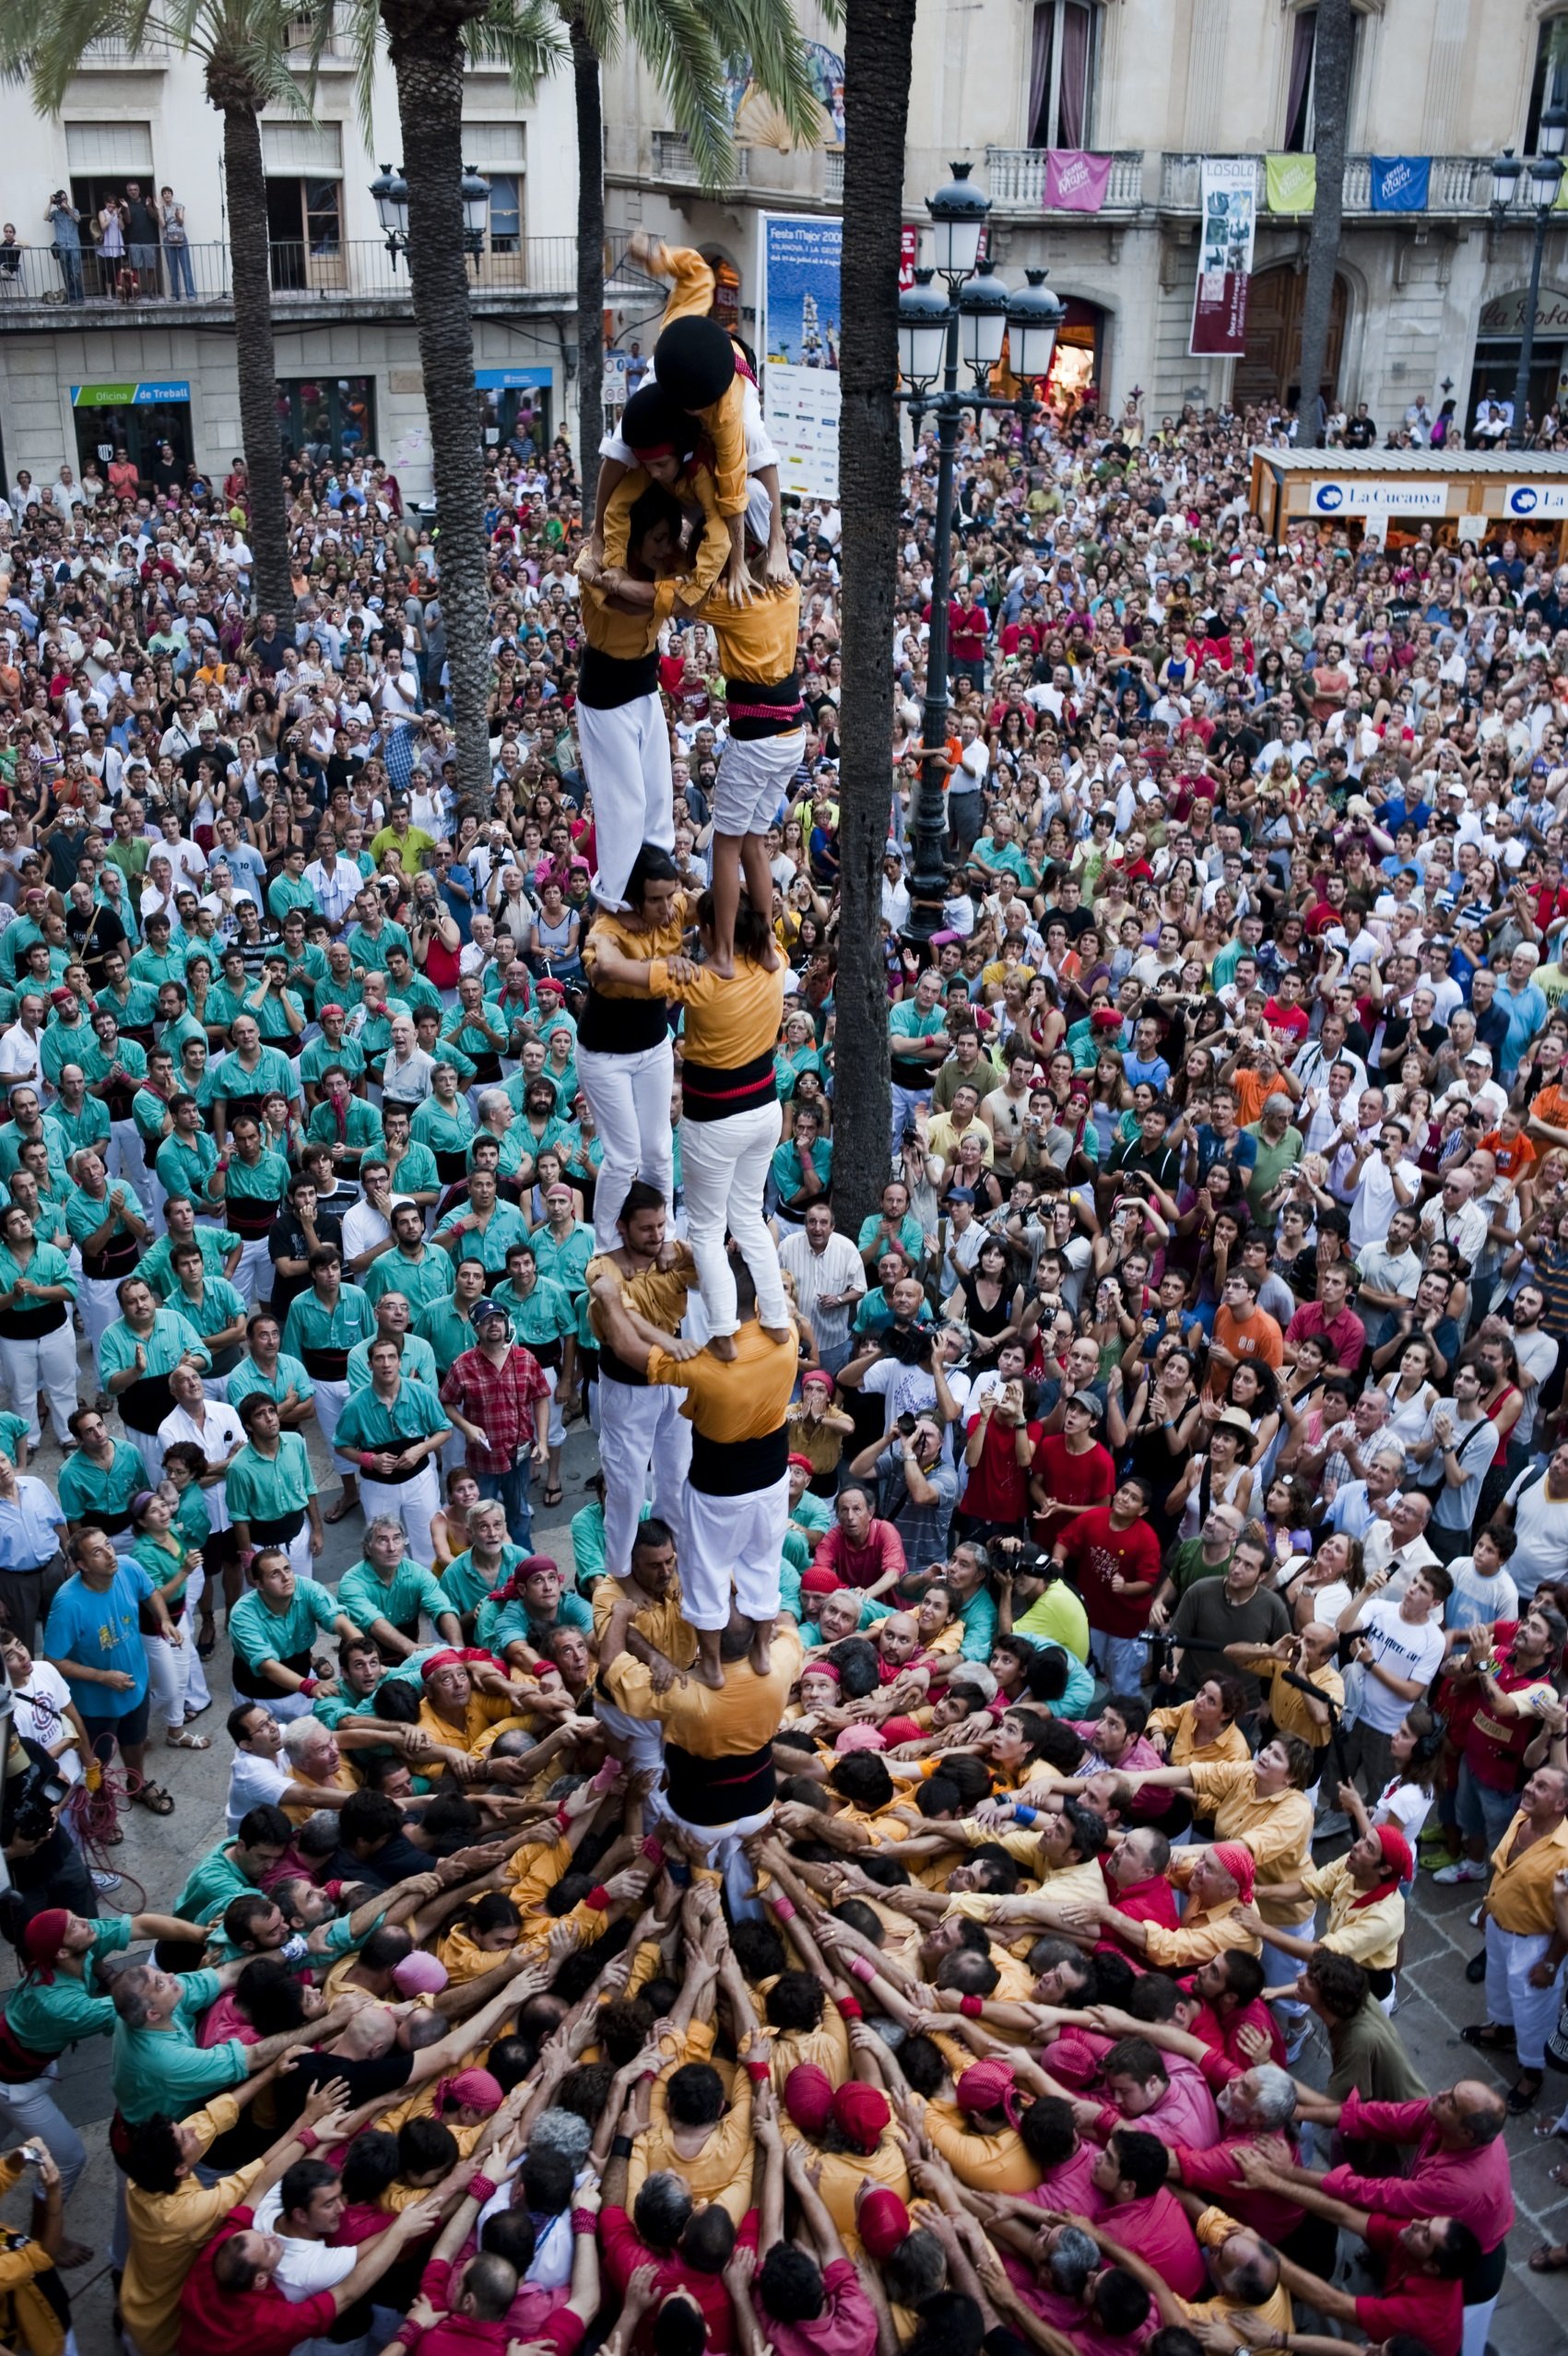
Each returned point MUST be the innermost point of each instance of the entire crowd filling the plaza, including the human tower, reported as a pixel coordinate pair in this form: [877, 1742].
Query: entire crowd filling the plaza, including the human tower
[1015, 1662]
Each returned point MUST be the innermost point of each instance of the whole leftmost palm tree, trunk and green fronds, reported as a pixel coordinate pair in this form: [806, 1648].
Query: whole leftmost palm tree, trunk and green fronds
[244, 48]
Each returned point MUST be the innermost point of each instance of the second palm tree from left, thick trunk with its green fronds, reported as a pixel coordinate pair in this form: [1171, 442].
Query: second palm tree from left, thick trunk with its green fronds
[430, 41]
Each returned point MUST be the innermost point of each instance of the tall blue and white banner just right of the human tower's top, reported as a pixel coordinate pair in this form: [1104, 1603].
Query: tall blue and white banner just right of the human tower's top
[798, 336]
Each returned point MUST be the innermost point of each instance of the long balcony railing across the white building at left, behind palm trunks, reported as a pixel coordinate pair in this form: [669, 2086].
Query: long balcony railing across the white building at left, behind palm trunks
[357, 274]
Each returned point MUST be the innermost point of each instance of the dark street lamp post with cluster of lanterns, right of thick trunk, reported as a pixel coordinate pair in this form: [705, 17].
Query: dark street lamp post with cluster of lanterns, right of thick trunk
[935, 331]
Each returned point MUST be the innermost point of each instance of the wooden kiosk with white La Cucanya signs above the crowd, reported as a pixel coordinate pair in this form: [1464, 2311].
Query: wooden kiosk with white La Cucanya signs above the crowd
[1461, 494]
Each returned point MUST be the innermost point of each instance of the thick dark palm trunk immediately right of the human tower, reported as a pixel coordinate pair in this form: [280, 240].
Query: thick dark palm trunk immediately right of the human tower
[878, 60]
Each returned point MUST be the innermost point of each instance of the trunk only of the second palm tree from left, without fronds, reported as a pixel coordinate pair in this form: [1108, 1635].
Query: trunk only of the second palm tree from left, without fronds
[428, 62]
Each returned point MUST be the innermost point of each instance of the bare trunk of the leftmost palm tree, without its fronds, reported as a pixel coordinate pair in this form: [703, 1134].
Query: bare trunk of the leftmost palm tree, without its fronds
[258, 366]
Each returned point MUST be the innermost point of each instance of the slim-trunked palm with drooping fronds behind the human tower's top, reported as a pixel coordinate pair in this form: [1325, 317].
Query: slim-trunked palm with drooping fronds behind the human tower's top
[687, 51]
